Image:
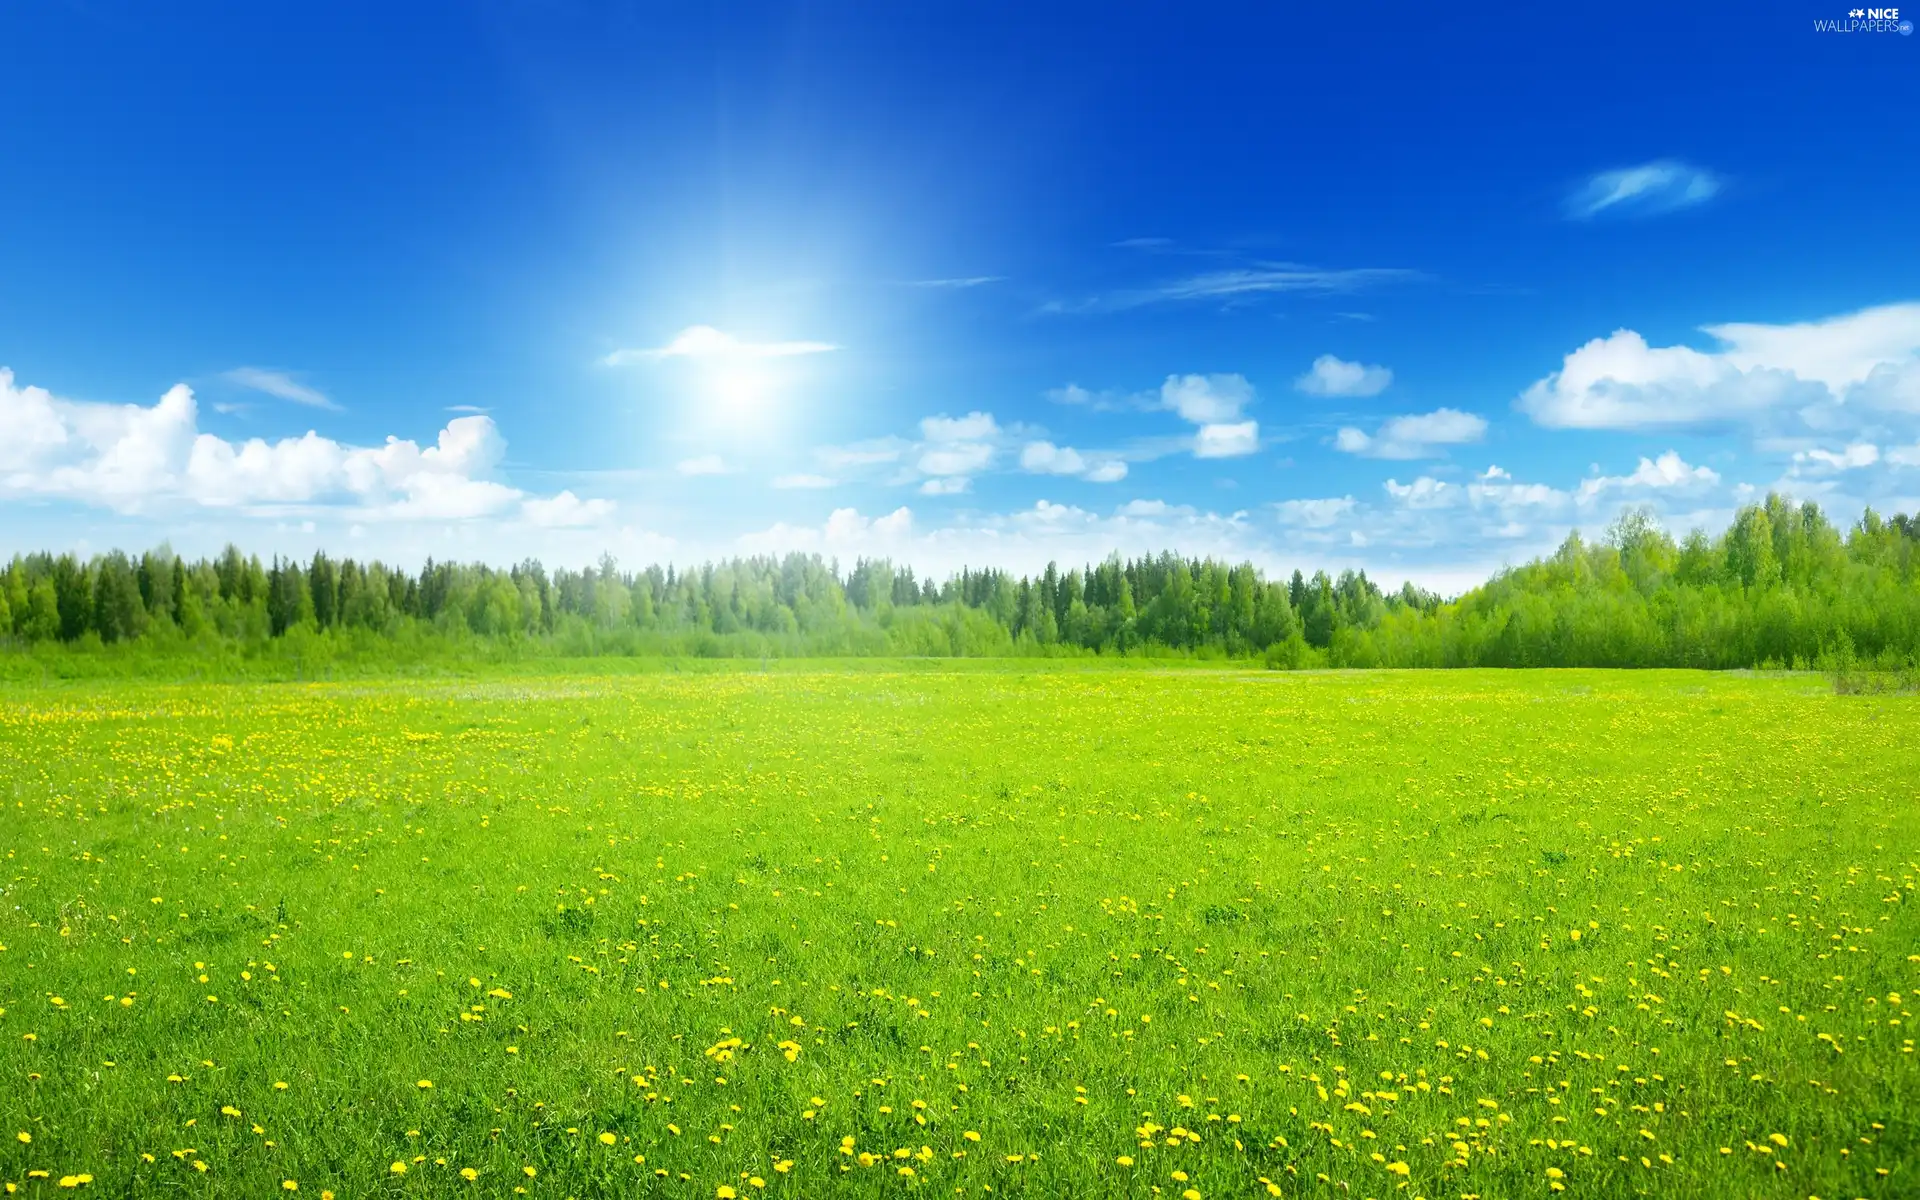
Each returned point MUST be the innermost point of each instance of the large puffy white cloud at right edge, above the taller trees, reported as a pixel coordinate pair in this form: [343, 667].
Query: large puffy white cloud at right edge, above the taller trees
[1867, 358]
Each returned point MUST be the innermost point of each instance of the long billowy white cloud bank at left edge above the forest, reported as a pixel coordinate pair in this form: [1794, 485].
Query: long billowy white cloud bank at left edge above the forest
[137, 460]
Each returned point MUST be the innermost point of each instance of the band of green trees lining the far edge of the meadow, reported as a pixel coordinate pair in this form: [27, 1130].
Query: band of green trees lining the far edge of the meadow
[1781, 587]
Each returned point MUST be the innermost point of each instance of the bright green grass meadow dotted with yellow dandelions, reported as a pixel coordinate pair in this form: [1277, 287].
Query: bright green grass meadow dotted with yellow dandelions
[963, 932]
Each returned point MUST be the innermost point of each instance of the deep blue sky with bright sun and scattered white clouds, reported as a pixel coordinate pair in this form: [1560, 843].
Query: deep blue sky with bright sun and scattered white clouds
[1393, 289]
